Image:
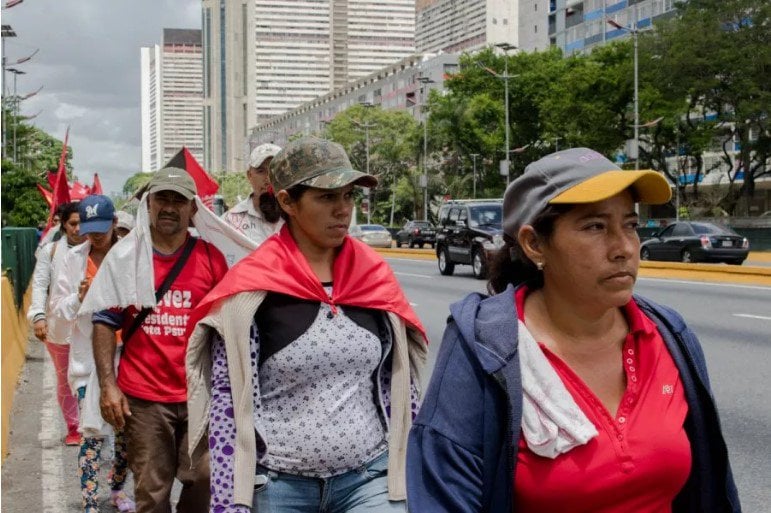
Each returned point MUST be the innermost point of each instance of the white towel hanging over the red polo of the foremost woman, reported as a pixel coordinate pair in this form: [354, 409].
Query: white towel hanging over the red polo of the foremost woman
[552, 422]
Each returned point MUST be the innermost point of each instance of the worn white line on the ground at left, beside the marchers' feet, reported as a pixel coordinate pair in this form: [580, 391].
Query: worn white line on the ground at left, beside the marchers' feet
[52, 453]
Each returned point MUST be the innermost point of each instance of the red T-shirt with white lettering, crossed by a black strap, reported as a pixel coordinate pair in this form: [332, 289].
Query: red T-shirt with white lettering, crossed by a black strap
[152, 366]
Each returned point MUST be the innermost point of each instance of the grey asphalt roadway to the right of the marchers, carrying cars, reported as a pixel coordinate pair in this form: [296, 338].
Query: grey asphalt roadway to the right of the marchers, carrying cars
[733, 323]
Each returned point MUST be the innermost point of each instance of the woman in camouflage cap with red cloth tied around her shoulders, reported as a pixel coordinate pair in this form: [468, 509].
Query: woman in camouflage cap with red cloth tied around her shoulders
[315, 357]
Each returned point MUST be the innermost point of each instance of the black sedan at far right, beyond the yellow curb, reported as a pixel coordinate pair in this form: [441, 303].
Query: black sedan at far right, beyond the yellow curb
[689, 241]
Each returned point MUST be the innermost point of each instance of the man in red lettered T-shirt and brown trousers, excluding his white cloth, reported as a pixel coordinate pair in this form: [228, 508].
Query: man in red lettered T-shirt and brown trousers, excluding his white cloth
[148, 396]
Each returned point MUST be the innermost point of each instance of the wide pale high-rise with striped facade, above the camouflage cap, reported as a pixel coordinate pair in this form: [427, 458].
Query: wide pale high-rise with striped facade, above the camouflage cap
[263, 58]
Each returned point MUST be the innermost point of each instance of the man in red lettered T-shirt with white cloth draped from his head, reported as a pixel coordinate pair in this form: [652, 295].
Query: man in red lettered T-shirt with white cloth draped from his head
[147, 287]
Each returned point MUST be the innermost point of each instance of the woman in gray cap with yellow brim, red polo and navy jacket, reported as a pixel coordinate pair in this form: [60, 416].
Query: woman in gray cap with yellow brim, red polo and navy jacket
[563, 391]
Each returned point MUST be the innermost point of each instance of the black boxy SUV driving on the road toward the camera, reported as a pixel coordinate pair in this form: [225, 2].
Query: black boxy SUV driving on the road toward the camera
[469, 232]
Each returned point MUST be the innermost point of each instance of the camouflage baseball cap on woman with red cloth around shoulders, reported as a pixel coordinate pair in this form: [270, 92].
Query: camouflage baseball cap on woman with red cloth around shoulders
[316, 163]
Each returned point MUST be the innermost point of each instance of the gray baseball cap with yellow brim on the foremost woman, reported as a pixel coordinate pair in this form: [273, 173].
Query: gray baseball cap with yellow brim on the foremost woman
[574, 176]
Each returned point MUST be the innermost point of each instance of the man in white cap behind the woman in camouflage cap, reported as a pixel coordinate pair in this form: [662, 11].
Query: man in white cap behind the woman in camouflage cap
[257, 216]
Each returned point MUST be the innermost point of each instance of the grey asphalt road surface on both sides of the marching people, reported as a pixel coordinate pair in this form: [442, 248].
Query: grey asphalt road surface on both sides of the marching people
[732, 321]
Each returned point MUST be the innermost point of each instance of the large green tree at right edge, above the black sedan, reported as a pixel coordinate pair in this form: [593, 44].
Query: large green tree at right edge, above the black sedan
[720, 79]
